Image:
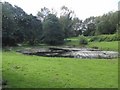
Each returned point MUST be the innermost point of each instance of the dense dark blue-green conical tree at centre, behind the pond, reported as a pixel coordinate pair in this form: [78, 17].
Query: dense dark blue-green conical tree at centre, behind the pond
[53, 34]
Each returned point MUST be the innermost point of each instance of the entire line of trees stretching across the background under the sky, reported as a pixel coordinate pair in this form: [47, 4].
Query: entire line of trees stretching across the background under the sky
[46, 27]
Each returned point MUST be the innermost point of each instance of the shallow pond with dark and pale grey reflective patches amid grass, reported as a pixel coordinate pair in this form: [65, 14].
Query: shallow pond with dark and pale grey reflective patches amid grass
[70, 52]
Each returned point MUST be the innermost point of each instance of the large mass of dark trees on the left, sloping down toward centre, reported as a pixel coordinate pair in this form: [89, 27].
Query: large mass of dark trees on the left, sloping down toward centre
[19, 27]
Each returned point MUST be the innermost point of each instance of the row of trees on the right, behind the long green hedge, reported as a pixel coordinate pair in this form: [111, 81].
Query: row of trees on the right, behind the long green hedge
[106, 24]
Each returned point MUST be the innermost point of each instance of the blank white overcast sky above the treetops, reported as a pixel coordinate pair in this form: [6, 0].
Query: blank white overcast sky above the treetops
[82, 8]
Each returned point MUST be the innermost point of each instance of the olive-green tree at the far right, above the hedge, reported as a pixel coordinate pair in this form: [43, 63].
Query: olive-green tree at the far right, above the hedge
[107, 24]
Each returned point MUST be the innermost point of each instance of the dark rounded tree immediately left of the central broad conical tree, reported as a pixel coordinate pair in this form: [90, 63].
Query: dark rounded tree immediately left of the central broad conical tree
[32, 29]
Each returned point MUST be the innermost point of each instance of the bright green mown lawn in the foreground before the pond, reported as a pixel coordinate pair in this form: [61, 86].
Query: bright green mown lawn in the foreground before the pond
[22, 71]
